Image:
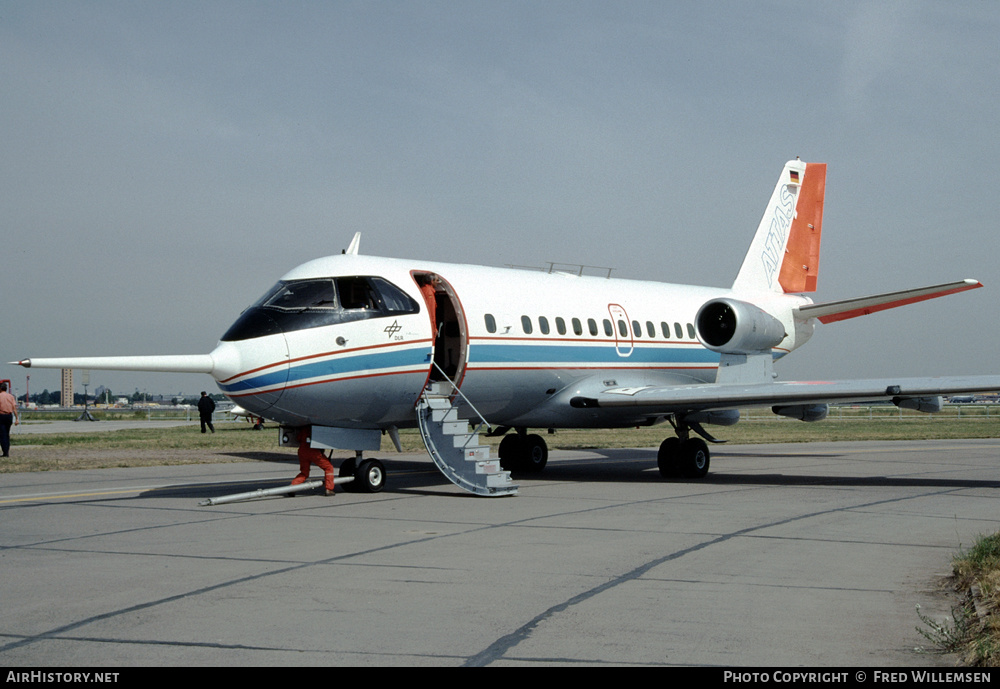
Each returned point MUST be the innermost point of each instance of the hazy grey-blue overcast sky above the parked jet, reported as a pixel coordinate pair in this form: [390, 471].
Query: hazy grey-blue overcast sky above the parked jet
[163, 163]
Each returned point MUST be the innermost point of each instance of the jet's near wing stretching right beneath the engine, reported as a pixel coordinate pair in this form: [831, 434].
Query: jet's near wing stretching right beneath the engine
[657, 400]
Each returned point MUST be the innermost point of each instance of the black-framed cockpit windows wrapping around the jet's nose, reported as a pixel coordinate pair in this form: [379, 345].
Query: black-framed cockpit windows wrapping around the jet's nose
[300, 304]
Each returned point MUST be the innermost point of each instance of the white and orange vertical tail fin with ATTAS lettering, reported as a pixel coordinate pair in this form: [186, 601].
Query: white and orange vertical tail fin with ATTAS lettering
[784, 254]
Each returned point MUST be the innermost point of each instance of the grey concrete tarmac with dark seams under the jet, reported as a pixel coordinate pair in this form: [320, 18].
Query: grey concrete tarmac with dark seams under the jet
[785, 555]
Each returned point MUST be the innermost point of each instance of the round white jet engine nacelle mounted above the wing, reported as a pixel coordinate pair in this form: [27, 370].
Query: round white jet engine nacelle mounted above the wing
[730, 326]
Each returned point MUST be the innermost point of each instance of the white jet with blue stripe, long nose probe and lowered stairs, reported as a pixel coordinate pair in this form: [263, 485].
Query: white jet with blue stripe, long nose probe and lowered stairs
[357, 346]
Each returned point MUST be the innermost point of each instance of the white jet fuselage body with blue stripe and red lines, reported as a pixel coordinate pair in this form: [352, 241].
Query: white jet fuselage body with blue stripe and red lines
[349, 341]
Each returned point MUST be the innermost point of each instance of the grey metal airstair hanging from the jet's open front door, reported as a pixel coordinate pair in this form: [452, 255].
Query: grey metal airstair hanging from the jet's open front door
[455, 449]
